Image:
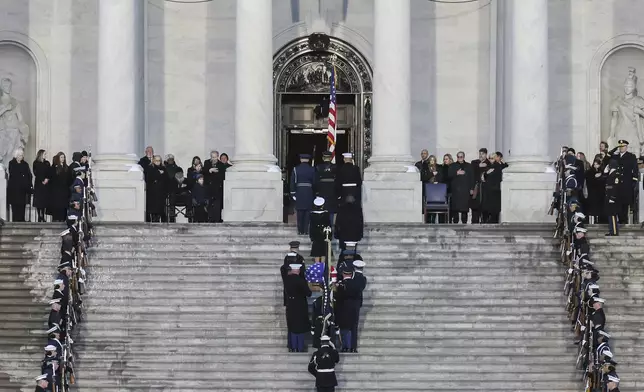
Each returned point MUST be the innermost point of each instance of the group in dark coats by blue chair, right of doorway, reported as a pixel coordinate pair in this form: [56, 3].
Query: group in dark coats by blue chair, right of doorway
[471, 186]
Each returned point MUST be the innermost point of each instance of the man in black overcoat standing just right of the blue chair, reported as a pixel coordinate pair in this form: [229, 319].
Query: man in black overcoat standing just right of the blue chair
[461, 180]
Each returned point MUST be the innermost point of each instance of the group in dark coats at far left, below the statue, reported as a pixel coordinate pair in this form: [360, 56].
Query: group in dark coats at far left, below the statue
[45, 186]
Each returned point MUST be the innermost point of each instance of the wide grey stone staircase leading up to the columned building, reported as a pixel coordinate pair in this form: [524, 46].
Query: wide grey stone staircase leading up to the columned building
[191, 308]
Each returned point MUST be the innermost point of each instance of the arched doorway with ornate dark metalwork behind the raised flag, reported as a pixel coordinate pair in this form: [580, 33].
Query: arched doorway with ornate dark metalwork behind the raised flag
[301, 72]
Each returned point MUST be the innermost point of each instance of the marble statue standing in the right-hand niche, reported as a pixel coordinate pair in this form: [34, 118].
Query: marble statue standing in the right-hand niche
[627, 115]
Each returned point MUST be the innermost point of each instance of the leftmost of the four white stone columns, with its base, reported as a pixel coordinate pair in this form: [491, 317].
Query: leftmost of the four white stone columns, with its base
[118, 178]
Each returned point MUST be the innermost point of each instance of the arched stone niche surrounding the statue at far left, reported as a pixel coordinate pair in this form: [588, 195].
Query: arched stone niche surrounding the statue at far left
[17, 65]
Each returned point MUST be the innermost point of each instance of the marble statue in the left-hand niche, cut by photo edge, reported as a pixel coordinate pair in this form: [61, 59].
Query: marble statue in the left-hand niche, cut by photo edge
[14, 132]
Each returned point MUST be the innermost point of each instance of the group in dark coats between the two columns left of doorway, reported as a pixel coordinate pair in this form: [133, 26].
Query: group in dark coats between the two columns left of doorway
[199, 190]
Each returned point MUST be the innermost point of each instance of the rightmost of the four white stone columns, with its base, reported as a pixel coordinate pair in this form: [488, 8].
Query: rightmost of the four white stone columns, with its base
[528, 182]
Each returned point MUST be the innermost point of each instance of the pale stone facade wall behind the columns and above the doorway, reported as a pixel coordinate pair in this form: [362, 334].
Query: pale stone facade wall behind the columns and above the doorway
[458, 54]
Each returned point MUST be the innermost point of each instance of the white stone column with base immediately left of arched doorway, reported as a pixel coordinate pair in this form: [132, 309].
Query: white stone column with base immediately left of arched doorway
[253, 188]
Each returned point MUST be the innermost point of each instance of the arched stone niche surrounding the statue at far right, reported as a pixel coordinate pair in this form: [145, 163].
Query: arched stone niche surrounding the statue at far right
[623, 70]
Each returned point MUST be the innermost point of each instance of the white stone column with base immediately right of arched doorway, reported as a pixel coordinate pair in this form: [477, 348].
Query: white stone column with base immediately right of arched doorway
[392, 184]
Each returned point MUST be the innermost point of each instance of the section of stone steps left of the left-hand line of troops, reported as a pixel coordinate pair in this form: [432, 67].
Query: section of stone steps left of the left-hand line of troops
[29, 254]
